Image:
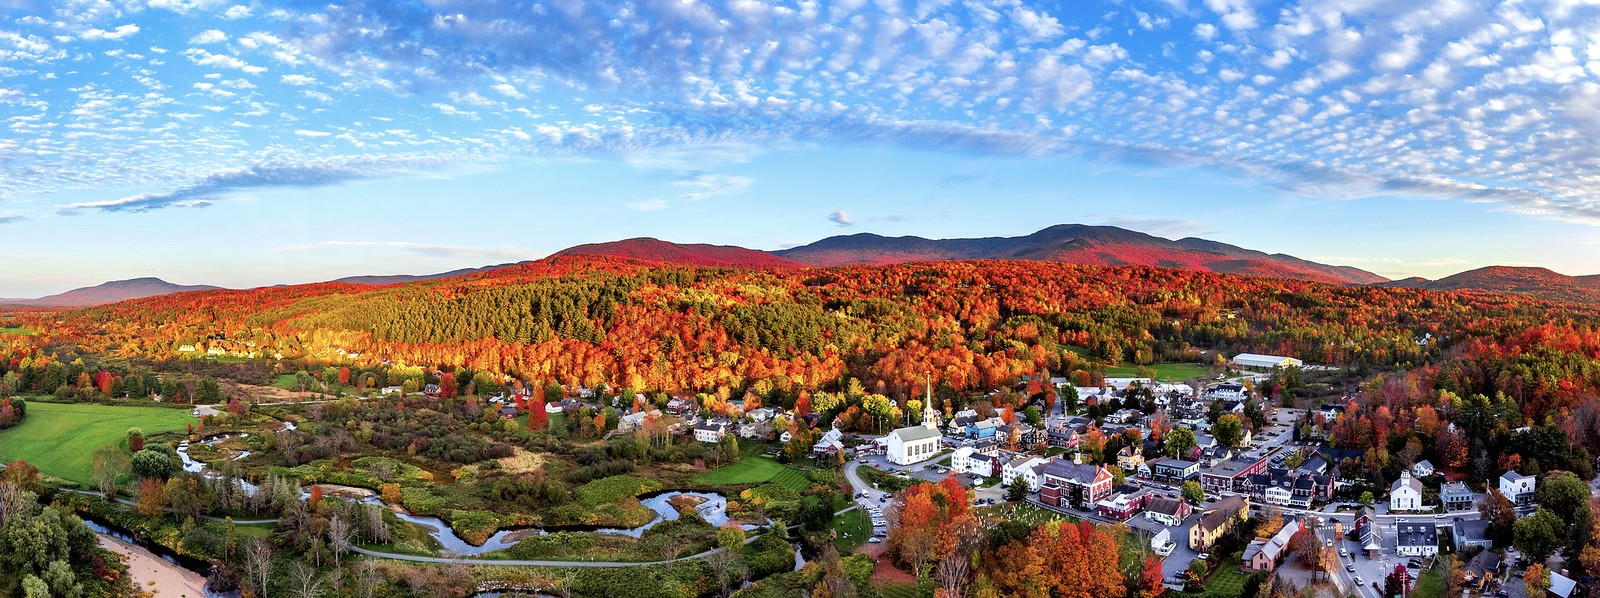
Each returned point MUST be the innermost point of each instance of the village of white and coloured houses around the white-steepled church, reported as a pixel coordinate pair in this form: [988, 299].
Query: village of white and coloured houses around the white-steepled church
[1172, 463]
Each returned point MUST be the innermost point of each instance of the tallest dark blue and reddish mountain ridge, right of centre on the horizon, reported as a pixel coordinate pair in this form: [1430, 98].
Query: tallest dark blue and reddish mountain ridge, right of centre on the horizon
[1078, 244]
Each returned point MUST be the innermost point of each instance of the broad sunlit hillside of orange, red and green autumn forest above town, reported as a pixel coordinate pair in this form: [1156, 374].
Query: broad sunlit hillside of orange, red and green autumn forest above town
[970, 325]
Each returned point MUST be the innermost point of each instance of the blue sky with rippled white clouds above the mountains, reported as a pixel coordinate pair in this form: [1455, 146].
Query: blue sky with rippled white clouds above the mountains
[258, 143]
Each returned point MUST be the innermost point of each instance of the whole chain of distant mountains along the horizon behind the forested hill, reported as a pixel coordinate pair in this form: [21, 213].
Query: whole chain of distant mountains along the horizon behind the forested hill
[1078, 244]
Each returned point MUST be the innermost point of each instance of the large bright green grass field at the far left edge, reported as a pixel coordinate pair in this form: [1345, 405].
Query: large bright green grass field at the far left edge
[62, 439]
